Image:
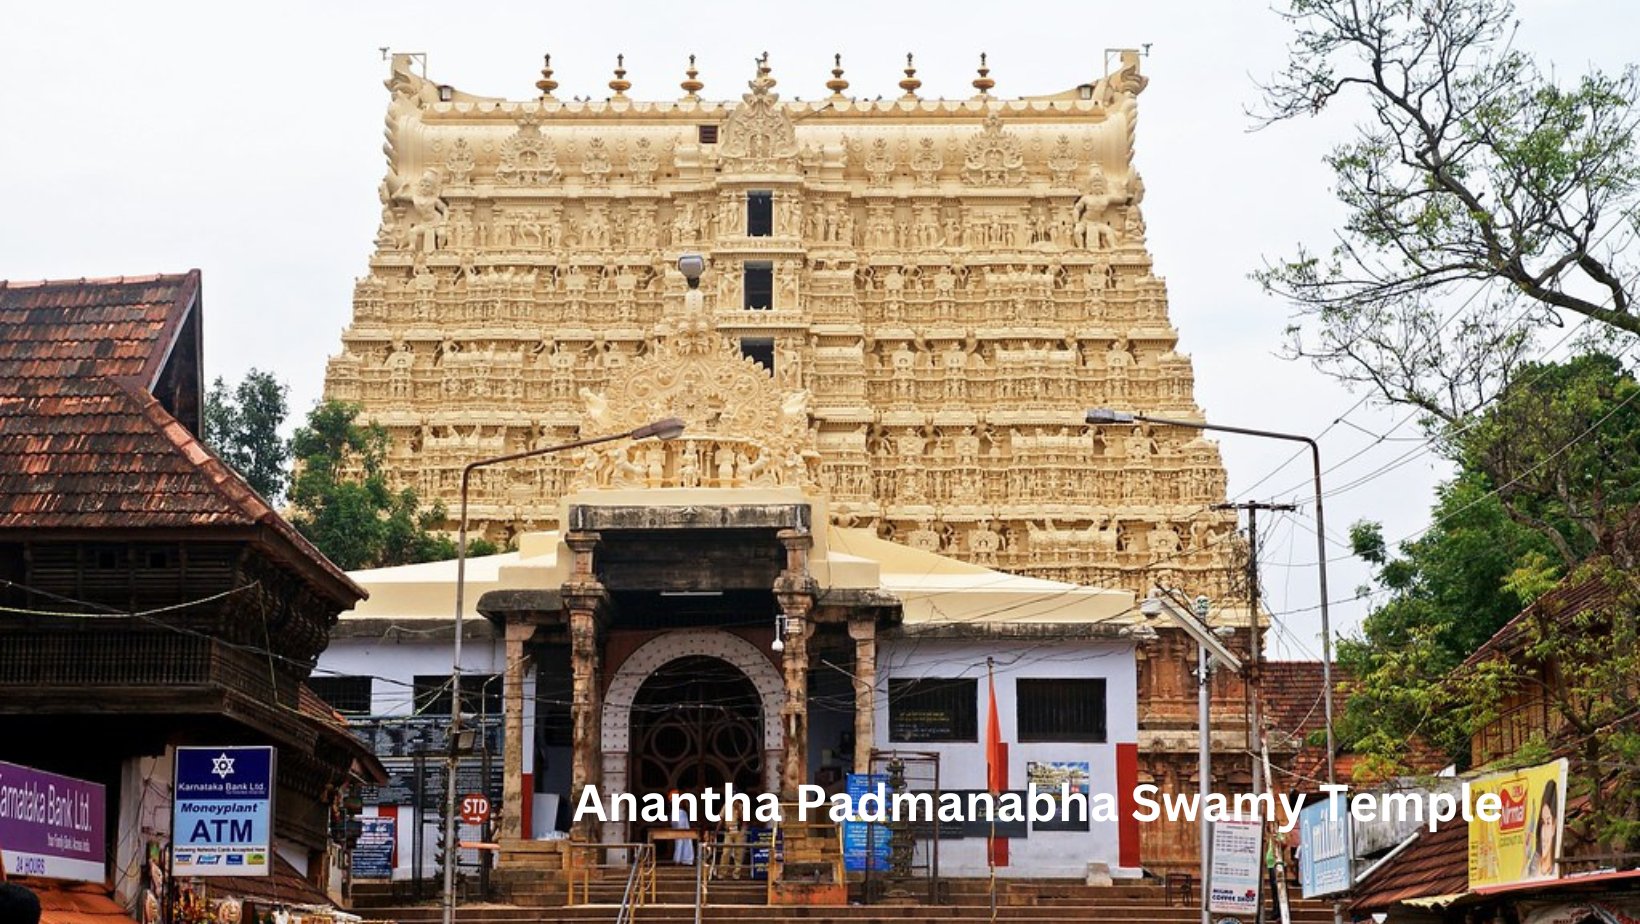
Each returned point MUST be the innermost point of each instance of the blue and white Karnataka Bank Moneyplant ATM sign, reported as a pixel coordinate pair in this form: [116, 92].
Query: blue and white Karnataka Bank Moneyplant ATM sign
[222, 813]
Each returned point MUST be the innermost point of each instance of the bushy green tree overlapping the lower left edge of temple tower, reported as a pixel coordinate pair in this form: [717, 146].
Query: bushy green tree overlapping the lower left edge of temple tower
[342, 500]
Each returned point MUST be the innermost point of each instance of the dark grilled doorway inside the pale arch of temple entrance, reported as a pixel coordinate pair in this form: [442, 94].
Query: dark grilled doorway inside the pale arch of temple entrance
[696, 725]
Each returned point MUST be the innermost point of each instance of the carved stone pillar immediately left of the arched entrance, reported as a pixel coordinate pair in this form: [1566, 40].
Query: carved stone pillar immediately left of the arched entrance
[585, 600]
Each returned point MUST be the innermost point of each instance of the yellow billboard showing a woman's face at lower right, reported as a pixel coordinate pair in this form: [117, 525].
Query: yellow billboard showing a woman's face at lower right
[1524, 844]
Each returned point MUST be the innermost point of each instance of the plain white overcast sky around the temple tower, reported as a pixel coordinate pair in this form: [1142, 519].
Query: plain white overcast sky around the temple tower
[247, 142]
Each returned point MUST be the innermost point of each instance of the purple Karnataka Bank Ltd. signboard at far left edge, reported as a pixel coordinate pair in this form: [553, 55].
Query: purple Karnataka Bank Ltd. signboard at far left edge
[52, 826]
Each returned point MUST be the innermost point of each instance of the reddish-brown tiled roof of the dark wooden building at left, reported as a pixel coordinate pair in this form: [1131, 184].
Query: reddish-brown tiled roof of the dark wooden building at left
[83, 441]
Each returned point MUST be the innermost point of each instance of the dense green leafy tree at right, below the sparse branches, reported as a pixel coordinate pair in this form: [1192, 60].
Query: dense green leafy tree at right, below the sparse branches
[1549, 477]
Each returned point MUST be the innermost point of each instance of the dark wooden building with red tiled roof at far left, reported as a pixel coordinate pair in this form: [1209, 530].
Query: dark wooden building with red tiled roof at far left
[152, 598]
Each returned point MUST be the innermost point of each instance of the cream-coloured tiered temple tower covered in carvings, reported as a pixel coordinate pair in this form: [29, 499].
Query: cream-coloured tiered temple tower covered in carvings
[941, 288]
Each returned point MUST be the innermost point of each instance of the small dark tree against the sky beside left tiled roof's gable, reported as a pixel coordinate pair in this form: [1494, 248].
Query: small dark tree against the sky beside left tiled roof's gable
[242, 428]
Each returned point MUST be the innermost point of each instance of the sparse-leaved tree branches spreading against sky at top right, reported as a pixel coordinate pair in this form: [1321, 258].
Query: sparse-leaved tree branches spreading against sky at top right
[1474, 170]
